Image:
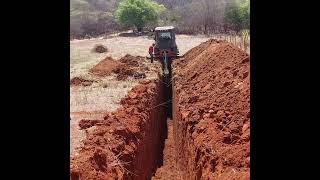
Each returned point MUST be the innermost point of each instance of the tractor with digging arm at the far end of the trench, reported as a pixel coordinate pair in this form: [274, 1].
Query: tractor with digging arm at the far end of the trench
[165, 48]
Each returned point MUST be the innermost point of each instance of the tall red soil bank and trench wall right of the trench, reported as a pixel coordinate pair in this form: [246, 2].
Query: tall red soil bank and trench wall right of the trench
[211, 111]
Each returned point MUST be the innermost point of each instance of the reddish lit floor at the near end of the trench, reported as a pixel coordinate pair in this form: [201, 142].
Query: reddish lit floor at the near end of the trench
[168, 170]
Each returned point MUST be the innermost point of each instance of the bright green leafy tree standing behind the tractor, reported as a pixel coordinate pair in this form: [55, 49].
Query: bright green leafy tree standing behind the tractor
[138, 12]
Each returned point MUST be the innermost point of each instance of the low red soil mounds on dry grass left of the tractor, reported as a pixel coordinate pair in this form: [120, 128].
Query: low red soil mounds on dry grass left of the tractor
[127, 66]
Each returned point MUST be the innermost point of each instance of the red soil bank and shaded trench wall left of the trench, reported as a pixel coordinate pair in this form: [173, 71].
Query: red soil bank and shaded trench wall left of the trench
[125, 145]
